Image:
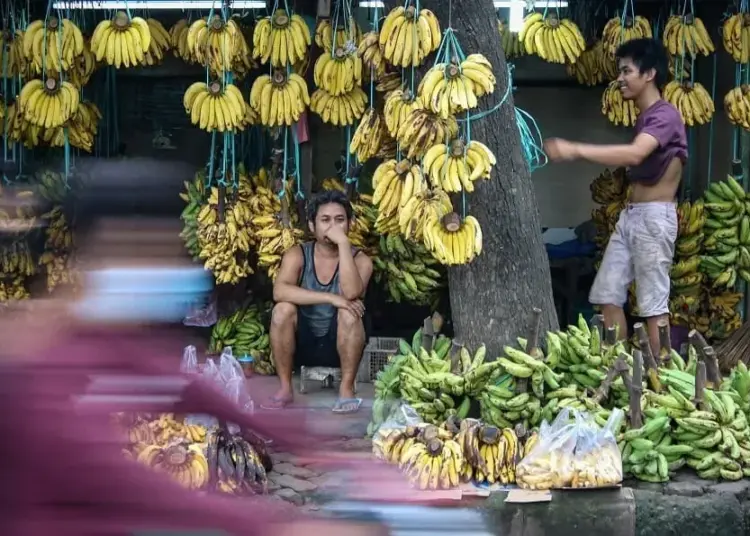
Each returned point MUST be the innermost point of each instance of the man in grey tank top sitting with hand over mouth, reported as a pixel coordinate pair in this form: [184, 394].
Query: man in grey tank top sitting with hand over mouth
[319, 309]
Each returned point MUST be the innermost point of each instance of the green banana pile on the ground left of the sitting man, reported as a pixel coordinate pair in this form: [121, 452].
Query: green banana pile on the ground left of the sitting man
[245, 332]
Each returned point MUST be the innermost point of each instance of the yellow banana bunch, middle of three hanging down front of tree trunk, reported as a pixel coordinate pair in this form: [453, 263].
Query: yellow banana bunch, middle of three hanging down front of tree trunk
[455, 166]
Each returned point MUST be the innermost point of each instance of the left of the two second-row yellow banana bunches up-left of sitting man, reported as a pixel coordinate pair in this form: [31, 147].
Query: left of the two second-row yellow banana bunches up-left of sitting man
[213, 107]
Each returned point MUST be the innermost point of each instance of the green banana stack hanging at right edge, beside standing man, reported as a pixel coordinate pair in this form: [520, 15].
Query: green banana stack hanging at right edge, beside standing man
[727, 229]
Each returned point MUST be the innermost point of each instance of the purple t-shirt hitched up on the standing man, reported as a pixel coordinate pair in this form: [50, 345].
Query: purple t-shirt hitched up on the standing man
[664, 122]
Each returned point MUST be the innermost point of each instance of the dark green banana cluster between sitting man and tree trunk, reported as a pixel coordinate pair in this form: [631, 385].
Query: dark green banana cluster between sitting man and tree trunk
[408, 271]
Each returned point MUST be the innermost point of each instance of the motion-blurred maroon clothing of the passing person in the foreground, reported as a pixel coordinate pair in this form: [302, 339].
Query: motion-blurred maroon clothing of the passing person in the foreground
[64, 470]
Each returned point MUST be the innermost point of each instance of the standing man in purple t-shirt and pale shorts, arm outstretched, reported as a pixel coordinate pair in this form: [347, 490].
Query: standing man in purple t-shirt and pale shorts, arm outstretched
[642, 245]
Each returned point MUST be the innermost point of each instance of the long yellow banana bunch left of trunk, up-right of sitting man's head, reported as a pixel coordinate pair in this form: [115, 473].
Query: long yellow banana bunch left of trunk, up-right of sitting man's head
[394, 183]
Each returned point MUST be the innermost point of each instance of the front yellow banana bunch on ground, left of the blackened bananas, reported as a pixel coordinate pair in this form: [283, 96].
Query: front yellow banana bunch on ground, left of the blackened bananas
[185, 464]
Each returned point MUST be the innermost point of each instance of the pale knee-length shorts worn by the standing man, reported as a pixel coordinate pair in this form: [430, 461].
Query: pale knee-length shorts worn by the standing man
[640, 249]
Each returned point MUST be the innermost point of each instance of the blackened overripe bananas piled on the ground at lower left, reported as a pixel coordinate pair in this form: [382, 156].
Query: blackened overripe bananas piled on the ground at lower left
[235, 464]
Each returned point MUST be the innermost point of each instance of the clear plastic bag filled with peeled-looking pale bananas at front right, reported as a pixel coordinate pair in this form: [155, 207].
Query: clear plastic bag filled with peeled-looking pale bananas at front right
[573, 452]
